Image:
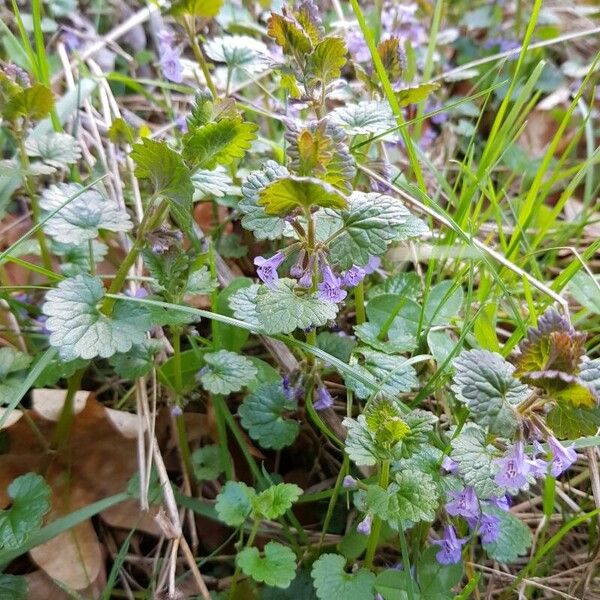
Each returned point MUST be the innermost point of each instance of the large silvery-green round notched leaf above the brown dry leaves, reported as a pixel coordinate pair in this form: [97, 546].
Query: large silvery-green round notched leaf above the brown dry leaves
[79, 330]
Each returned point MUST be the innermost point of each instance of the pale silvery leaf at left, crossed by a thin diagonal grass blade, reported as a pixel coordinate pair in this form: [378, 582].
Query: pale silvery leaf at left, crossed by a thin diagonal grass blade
[82, 218]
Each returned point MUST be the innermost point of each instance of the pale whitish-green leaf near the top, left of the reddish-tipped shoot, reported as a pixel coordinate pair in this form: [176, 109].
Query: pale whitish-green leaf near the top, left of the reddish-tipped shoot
[238, 52]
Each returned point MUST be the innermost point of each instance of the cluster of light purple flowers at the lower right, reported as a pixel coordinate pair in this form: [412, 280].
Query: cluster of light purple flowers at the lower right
[515, 470]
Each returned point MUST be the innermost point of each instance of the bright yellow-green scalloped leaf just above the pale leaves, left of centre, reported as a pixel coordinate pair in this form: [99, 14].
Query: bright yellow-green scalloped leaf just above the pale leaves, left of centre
[218, 143]
